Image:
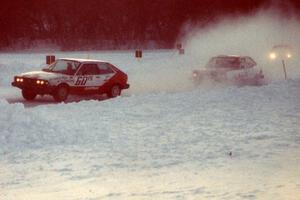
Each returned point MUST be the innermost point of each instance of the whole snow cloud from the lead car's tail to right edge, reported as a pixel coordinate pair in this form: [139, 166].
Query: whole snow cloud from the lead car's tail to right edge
[253, 35]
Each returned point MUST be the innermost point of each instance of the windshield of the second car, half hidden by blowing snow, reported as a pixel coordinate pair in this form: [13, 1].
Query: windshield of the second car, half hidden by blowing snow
[223, 62]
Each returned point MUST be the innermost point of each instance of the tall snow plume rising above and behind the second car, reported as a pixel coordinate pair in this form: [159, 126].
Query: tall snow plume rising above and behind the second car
[252, 35]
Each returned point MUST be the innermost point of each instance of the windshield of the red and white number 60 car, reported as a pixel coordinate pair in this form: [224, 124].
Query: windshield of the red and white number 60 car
[63, 66]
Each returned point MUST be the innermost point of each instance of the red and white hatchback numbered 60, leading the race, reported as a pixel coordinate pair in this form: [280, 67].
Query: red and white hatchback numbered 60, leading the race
[72, 76]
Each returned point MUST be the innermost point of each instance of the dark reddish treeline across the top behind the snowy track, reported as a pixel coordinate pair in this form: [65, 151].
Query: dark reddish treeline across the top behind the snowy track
[113, 24]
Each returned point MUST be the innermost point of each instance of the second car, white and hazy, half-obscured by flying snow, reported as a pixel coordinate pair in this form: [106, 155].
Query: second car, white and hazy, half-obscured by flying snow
[240, 70]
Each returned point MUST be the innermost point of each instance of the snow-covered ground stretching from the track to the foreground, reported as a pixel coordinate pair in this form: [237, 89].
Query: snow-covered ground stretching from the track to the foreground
[163, 139]
